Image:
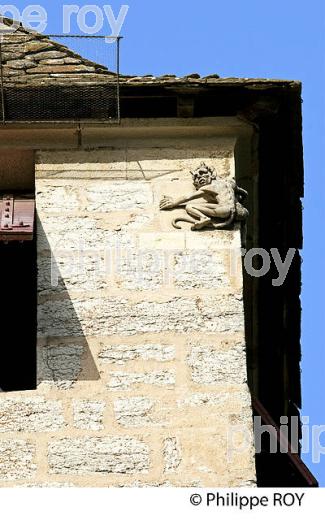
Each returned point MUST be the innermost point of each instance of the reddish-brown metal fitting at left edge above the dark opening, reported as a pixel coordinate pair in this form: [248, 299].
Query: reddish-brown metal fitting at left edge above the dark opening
[17, 218]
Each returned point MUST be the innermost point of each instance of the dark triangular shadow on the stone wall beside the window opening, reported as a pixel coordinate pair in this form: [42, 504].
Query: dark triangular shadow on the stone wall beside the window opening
[63, 352]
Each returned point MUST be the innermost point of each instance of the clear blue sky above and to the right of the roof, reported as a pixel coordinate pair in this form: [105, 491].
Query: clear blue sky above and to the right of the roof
[251, 38]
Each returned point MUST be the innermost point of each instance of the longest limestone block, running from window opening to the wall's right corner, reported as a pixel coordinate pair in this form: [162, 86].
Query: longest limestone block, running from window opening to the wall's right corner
[108, 316]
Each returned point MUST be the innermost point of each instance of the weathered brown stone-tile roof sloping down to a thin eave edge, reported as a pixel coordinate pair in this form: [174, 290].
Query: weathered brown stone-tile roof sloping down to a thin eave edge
[30, 58]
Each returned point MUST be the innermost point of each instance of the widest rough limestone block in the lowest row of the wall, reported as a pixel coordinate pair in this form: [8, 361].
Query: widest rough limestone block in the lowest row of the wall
[98, 455]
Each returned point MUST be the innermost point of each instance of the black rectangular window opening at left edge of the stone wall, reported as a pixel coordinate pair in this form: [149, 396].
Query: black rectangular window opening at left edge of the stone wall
[18, 282]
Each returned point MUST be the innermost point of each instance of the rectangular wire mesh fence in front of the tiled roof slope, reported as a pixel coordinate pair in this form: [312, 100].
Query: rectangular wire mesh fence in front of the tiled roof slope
[59, 78]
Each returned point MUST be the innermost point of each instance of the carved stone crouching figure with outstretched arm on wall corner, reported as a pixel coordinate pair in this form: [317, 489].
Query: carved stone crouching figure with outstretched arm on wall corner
[216, 201]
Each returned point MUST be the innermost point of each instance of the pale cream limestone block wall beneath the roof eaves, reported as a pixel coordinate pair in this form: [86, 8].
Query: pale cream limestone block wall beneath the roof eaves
[141, 344]
